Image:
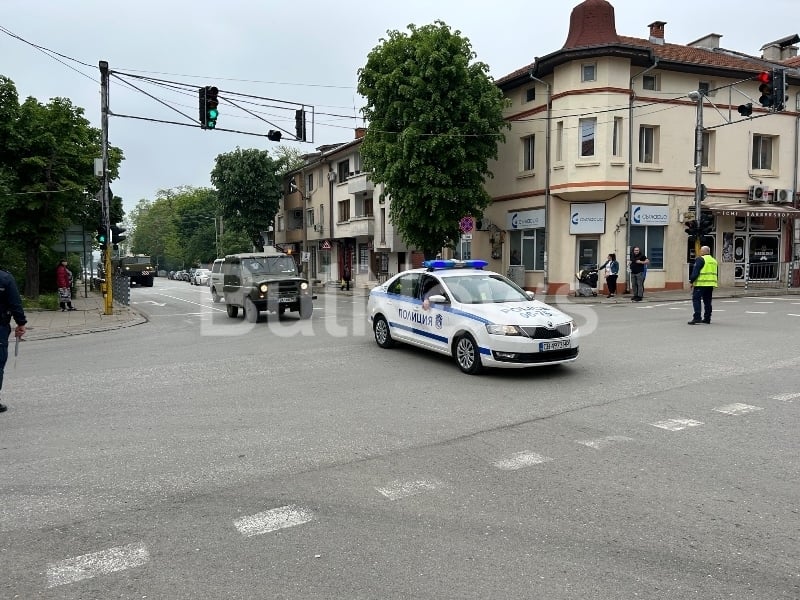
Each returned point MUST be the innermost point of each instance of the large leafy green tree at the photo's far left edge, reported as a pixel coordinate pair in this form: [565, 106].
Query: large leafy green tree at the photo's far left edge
[47, 178]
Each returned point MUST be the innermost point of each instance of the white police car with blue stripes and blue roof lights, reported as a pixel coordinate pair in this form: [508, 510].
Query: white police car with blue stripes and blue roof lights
[478, 317]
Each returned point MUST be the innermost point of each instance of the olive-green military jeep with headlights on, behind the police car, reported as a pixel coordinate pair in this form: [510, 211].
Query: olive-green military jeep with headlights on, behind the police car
[264, 281]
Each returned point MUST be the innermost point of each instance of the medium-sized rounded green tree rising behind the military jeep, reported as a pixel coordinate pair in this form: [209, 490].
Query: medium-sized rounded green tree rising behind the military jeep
[250, 190]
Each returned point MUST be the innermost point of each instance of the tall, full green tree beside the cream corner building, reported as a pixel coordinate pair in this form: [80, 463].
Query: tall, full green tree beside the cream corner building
[435, 120]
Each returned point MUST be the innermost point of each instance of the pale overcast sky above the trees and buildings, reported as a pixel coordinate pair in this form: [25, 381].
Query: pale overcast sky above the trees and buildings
[291, 52]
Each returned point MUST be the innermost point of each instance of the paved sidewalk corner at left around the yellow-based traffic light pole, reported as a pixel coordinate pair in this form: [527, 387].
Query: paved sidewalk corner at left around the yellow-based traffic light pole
[89, 318]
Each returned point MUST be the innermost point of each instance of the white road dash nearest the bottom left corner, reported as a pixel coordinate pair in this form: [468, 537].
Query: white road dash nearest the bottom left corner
[91, 565]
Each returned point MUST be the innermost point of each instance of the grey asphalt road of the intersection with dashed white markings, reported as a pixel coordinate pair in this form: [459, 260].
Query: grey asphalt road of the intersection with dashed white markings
[198, 456]
